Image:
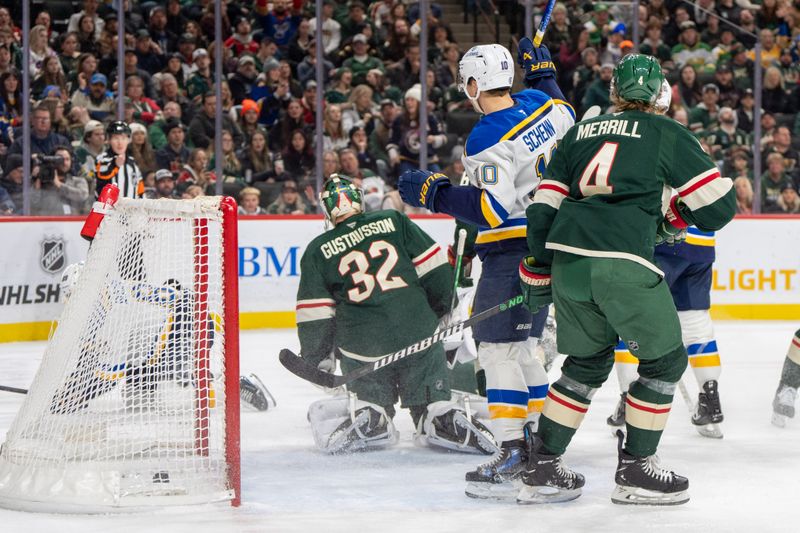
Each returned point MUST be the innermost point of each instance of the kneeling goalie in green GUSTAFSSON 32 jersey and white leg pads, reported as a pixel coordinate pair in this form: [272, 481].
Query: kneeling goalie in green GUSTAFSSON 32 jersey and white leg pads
[370, 286]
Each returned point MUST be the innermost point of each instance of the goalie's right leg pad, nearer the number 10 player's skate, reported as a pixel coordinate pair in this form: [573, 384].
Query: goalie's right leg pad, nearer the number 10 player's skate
[448, 425]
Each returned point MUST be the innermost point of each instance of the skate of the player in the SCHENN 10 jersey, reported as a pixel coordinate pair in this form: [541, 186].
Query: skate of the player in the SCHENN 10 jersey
[500, 478]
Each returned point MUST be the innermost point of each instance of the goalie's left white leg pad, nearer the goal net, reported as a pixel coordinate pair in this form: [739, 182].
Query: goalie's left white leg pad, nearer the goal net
[346, 424]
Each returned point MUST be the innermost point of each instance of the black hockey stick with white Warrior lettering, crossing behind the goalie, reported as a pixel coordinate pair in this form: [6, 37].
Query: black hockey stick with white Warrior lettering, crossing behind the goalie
[302, 368]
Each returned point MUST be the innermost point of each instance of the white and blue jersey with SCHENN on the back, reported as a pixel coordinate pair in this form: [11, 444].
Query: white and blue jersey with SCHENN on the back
[505, 156]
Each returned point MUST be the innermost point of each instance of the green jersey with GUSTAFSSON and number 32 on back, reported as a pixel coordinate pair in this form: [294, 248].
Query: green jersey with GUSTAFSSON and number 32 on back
[372, 285]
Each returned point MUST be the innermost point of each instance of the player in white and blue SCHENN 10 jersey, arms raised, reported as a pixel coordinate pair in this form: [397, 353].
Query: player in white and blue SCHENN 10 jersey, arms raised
[505, 157]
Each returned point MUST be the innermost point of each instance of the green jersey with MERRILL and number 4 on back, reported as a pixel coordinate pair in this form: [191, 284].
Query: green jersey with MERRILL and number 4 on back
[605, 190]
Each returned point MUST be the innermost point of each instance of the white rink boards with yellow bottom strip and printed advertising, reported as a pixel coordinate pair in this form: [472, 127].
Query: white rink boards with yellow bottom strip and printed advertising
[756, 275]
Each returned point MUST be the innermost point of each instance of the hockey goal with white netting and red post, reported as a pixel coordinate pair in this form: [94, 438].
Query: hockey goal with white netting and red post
[136, 401]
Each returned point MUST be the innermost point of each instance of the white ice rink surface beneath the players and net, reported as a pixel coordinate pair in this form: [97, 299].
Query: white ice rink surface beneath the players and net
[749, 481]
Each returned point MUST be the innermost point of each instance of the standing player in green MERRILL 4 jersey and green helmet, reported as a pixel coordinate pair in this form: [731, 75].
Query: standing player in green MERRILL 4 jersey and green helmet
[603, 205]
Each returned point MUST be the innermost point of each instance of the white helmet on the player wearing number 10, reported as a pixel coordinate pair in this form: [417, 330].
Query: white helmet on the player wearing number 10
[490, 65]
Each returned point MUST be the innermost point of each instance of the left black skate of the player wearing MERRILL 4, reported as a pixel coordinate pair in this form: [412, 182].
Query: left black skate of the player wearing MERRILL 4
[546, 479]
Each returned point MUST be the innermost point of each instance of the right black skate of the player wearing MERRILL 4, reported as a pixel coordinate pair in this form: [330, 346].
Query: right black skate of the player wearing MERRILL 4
[641, 481]
